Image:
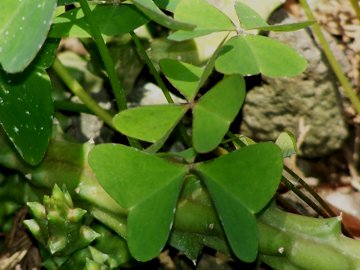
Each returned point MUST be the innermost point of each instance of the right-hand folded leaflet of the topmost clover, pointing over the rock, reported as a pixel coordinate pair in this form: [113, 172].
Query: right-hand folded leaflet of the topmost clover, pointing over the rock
[250, 19]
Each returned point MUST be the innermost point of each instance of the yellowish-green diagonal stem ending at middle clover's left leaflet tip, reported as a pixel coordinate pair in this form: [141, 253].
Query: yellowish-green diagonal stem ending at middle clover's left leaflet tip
[80, 92]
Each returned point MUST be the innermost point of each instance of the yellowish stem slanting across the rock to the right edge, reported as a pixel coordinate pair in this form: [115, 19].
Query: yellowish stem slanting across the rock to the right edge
[349, 91]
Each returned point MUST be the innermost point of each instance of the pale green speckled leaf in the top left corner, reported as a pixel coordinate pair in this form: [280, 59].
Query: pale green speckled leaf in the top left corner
[23, 29]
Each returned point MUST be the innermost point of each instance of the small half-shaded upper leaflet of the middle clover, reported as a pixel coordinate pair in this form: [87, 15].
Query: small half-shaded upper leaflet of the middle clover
[183, 76]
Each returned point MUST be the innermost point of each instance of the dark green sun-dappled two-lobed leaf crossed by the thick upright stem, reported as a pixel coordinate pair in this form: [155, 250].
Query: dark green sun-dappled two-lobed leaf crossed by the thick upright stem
[111, 19]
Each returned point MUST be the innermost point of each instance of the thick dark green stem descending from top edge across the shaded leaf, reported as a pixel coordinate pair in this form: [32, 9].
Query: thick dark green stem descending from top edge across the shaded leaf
[105, 55]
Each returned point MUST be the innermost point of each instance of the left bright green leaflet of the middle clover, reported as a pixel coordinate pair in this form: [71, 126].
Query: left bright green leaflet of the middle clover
[149, 123]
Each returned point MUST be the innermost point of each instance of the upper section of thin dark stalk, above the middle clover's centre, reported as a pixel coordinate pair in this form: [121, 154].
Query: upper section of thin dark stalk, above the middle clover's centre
[151, 67]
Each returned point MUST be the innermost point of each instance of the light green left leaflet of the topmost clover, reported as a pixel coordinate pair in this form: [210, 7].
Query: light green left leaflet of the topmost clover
[207, 18]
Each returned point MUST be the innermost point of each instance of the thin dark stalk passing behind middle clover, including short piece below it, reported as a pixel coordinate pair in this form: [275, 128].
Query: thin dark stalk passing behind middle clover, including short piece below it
[160, 82]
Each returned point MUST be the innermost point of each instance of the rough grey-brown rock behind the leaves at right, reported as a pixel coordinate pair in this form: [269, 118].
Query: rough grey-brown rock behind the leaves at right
[306, 105]
